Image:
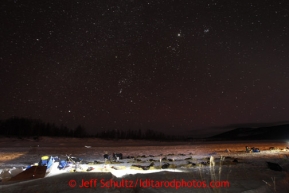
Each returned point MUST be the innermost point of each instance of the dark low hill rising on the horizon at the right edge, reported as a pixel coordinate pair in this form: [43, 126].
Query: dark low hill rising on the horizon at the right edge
[268, 133]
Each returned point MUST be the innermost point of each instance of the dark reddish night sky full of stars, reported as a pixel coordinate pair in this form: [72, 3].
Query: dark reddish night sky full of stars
[185, 67]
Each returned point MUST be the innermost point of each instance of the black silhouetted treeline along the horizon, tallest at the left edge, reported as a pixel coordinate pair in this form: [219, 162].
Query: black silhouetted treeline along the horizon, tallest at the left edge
[22, 127]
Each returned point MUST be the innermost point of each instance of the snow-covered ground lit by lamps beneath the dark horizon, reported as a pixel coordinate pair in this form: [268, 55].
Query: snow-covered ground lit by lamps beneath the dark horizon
[245, 172]
